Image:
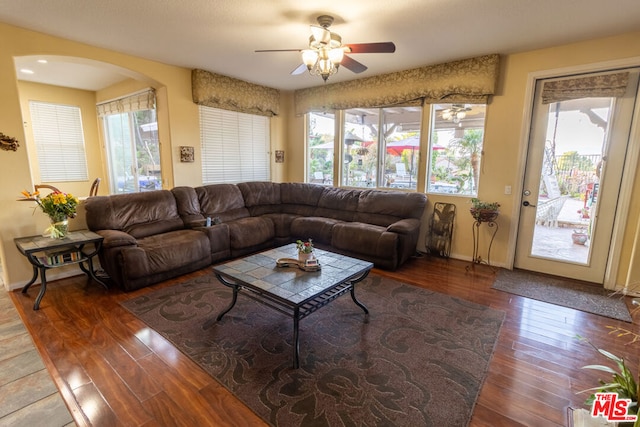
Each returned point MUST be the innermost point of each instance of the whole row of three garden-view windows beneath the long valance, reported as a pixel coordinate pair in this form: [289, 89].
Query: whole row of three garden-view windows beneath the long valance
[381, 147]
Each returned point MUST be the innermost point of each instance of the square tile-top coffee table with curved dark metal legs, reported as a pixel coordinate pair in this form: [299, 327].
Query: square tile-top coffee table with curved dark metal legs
[290, 290]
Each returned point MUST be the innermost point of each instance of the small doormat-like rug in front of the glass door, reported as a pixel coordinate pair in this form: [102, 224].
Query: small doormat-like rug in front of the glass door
[565, 292]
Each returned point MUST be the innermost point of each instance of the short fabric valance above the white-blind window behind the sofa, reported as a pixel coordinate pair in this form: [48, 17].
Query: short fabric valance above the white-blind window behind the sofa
[227, 93]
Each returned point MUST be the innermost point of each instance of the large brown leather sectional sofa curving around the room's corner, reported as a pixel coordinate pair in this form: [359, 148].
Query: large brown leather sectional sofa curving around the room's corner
[153, 236]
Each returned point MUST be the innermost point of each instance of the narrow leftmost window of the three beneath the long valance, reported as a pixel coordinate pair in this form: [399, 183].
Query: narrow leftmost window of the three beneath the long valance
[320, 147]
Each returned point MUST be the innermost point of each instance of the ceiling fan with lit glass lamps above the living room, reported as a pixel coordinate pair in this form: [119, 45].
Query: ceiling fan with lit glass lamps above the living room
[326, 52]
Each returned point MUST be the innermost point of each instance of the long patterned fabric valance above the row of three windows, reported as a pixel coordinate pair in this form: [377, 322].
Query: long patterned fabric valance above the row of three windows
[465, 81]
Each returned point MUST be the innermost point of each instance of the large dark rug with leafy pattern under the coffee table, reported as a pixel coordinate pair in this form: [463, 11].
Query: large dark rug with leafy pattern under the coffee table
[420, 360]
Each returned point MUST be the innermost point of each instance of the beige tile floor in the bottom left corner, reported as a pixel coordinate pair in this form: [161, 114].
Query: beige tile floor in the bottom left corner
[28, 396]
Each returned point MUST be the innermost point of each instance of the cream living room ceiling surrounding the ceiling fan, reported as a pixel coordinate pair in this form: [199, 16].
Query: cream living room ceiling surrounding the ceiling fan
[222, 35]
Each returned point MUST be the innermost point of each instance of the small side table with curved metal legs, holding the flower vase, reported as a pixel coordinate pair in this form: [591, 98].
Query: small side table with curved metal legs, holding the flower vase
[45, 253]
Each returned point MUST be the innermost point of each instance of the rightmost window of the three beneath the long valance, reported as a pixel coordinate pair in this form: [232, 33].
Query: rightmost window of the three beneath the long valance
[457, 135]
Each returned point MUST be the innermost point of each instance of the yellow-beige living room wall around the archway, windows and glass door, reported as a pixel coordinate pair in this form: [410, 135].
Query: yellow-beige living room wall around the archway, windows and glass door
[178, 118]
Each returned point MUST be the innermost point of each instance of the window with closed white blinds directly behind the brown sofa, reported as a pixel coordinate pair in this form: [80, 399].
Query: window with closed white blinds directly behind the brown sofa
[235, 146]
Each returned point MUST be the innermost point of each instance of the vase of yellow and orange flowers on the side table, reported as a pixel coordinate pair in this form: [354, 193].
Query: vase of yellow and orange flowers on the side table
[59, 207]
